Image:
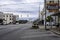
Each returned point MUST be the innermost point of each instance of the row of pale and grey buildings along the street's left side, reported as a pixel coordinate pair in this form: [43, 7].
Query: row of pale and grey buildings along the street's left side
[8, 18]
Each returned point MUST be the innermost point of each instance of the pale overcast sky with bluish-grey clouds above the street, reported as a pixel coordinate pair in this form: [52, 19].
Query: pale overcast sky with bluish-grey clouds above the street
[23, 7]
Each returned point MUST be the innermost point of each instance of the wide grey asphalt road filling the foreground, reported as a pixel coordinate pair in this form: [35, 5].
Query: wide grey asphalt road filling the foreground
[23, 32]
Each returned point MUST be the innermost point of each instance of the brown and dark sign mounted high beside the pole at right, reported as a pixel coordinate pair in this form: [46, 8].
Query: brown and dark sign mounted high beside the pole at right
[52, 7]
